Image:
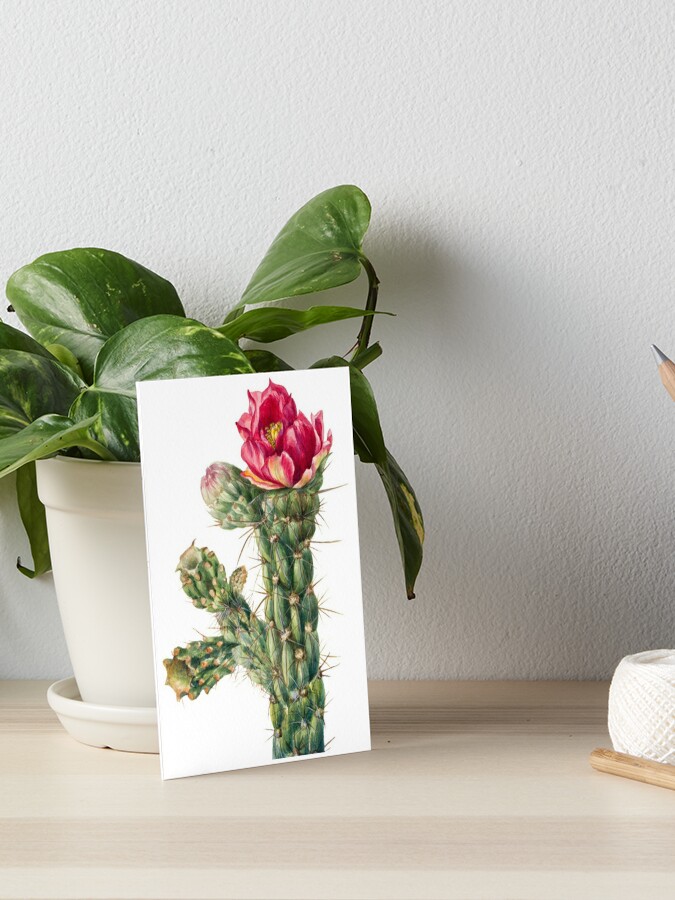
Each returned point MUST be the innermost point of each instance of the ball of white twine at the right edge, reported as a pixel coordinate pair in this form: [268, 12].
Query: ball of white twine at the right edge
[642, 706]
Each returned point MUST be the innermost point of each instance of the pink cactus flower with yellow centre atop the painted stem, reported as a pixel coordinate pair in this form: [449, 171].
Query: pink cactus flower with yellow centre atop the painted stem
[282, 448]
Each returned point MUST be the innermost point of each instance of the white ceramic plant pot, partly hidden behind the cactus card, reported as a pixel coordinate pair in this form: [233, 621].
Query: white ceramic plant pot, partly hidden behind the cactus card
[97, 542]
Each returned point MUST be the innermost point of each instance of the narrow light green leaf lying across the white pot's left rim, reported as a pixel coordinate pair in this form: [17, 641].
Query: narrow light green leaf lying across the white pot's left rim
[45, 437]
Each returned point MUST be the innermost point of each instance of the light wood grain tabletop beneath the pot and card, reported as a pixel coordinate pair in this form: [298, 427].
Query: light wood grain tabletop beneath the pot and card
[473, 790]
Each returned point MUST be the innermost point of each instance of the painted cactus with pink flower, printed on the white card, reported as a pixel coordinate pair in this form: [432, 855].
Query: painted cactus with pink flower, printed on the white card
[277, 497]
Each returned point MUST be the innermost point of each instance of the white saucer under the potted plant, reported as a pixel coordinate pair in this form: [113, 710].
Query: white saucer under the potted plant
[132, 728]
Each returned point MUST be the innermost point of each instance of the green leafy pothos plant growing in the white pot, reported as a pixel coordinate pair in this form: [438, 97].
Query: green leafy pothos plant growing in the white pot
[98, 322]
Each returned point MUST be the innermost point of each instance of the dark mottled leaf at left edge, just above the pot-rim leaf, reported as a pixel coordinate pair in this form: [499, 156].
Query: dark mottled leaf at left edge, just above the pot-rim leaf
[32, 386]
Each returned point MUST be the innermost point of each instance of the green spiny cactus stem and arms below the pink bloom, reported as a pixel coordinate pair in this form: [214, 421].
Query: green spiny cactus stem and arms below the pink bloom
[281, 653]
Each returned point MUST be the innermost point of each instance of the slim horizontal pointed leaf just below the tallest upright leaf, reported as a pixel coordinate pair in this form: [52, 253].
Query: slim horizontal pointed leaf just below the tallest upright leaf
[274, 323]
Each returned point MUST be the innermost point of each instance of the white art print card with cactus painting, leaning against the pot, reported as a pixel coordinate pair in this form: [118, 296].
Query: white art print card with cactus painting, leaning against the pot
[253, 556]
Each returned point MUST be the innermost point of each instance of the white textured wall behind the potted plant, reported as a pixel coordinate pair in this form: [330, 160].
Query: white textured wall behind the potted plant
[519, 157]
